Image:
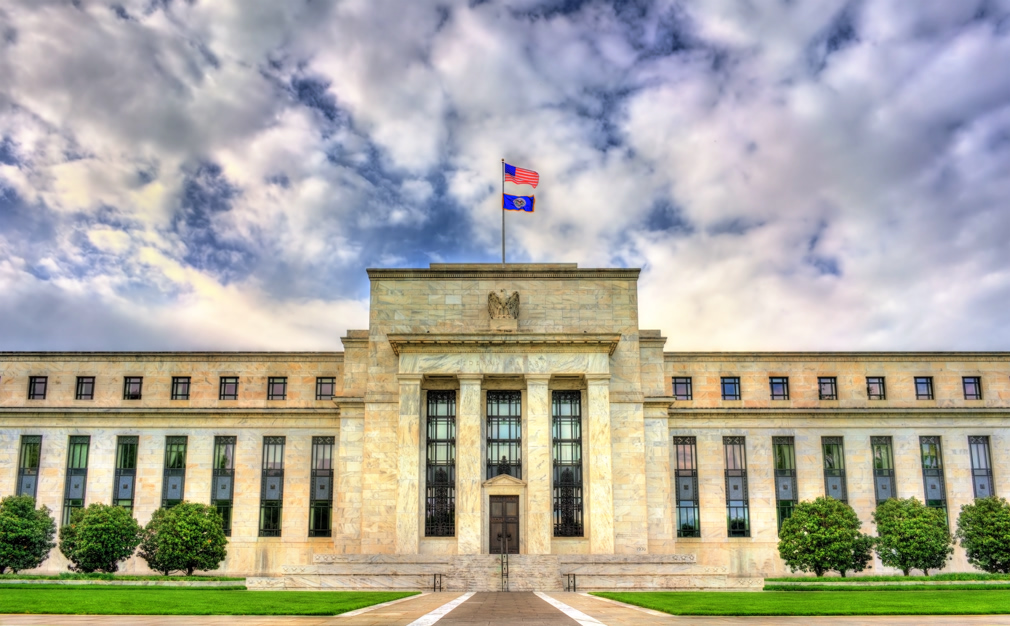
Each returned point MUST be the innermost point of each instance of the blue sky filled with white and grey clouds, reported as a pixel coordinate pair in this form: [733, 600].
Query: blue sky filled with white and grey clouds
[789, 175]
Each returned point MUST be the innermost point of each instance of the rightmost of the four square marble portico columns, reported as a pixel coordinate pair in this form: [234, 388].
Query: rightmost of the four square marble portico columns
[601, 495]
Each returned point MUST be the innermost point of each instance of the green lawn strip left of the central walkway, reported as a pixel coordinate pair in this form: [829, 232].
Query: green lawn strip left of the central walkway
[95, 600]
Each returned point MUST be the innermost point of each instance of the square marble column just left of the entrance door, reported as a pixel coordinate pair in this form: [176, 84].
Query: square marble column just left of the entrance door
[468, 465]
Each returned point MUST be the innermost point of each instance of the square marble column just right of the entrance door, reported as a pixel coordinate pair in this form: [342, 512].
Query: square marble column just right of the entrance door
[538, 466]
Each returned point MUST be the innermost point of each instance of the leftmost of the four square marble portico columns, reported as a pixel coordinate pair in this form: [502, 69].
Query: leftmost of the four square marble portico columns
[408, 450]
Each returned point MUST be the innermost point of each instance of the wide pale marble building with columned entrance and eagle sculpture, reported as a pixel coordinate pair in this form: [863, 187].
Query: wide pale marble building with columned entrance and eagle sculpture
[493, 409]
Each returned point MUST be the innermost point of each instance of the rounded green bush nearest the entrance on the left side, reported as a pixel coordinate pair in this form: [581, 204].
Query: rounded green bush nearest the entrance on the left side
[186, 538]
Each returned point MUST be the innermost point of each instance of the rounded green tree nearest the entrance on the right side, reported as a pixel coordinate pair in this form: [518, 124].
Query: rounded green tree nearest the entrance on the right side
[825, 536]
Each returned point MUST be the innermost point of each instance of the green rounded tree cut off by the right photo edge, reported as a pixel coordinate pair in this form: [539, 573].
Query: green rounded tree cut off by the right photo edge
[984, 533]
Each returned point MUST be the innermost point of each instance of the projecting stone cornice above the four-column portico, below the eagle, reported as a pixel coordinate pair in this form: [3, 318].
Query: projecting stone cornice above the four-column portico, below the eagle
[506, 343]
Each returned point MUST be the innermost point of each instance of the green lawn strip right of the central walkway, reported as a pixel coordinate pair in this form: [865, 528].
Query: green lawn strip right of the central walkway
[929, 602]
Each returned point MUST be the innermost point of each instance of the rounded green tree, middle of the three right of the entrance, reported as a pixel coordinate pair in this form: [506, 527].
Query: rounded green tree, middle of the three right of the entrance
[913, 536]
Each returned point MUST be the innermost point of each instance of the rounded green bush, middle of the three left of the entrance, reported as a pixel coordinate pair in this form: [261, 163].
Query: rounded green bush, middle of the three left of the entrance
[98, 538]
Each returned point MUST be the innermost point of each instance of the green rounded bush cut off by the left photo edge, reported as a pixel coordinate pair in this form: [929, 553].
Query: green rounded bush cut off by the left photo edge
[26, 534]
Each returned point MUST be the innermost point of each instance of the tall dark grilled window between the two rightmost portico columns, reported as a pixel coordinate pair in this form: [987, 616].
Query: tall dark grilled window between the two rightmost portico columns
[567, 435]
